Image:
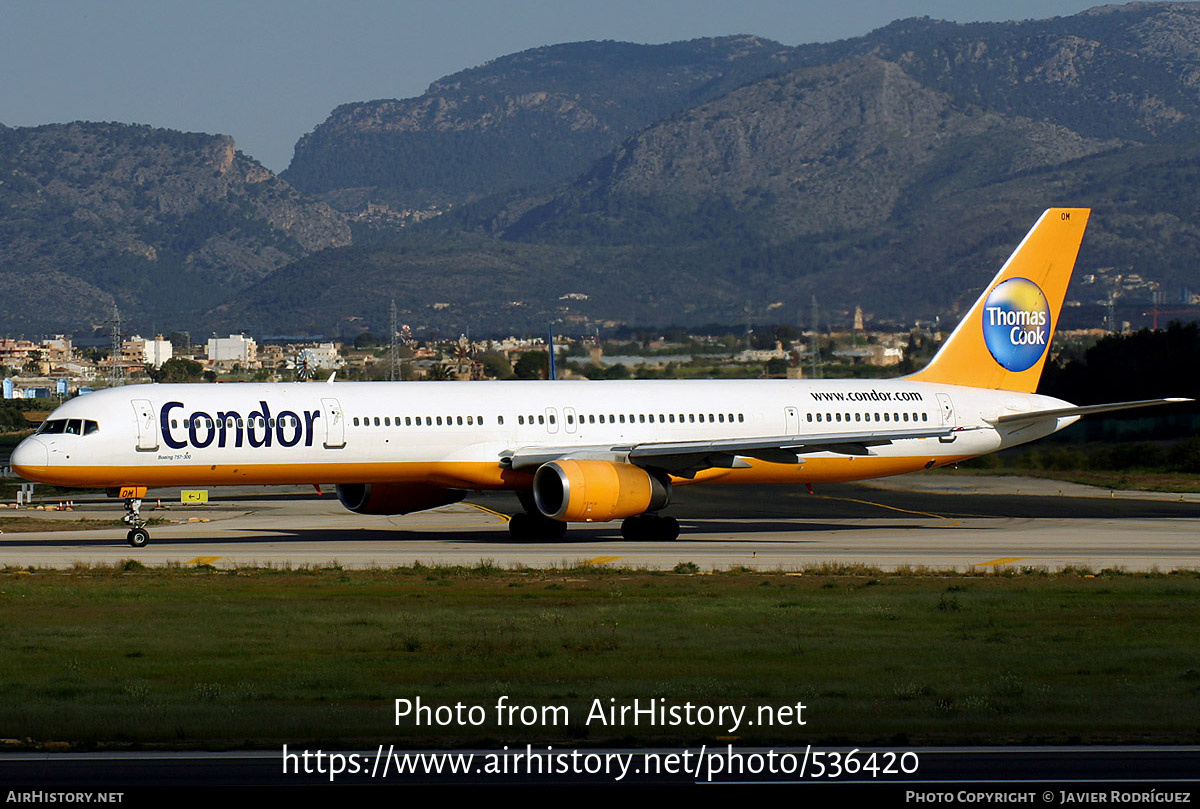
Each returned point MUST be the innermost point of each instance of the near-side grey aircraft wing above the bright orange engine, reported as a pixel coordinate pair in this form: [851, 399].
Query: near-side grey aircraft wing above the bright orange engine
[686, 459]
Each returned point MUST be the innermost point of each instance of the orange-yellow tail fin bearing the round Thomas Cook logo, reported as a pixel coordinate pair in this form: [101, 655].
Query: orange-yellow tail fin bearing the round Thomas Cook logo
[1005, 339]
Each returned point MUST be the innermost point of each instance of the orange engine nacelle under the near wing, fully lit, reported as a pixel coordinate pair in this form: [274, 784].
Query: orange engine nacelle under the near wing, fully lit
[597, 492]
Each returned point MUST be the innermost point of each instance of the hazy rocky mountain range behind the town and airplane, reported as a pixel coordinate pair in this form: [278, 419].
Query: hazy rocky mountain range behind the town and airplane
[607, 183]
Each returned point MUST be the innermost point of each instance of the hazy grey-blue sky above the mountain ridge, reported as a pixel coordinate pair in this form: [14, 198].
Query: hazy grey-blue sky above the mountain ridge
[268, 71]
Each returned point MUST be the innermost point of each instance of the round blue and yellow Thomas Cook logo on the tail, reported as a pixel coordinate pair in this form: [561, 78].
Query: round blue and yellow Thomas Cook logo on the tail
[1017, 323]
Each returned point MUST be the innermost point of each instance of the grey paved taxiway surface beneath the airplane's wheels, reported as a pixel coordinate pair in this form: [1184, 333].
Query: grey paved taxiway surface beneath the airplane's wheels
[933, 522]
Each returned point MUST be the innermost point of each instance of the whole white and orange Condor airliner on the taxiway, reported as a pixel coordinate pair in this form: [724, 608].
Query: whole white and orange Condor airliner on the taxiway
[584, 452]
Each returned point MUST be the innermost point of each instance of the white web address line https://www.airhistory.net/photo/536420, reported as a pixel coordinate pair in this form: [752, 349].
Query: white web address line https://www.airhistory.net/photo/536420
[704, 765]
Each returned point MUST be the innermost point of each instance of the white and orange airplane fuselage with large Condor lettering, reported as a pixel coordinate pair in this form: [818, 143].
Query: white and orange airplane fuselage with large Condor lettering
[460, 435]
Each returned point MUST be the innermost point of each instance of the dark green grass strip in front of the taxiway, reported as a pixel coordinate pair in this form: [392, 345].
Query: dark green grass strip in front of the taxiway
[203, 658]
